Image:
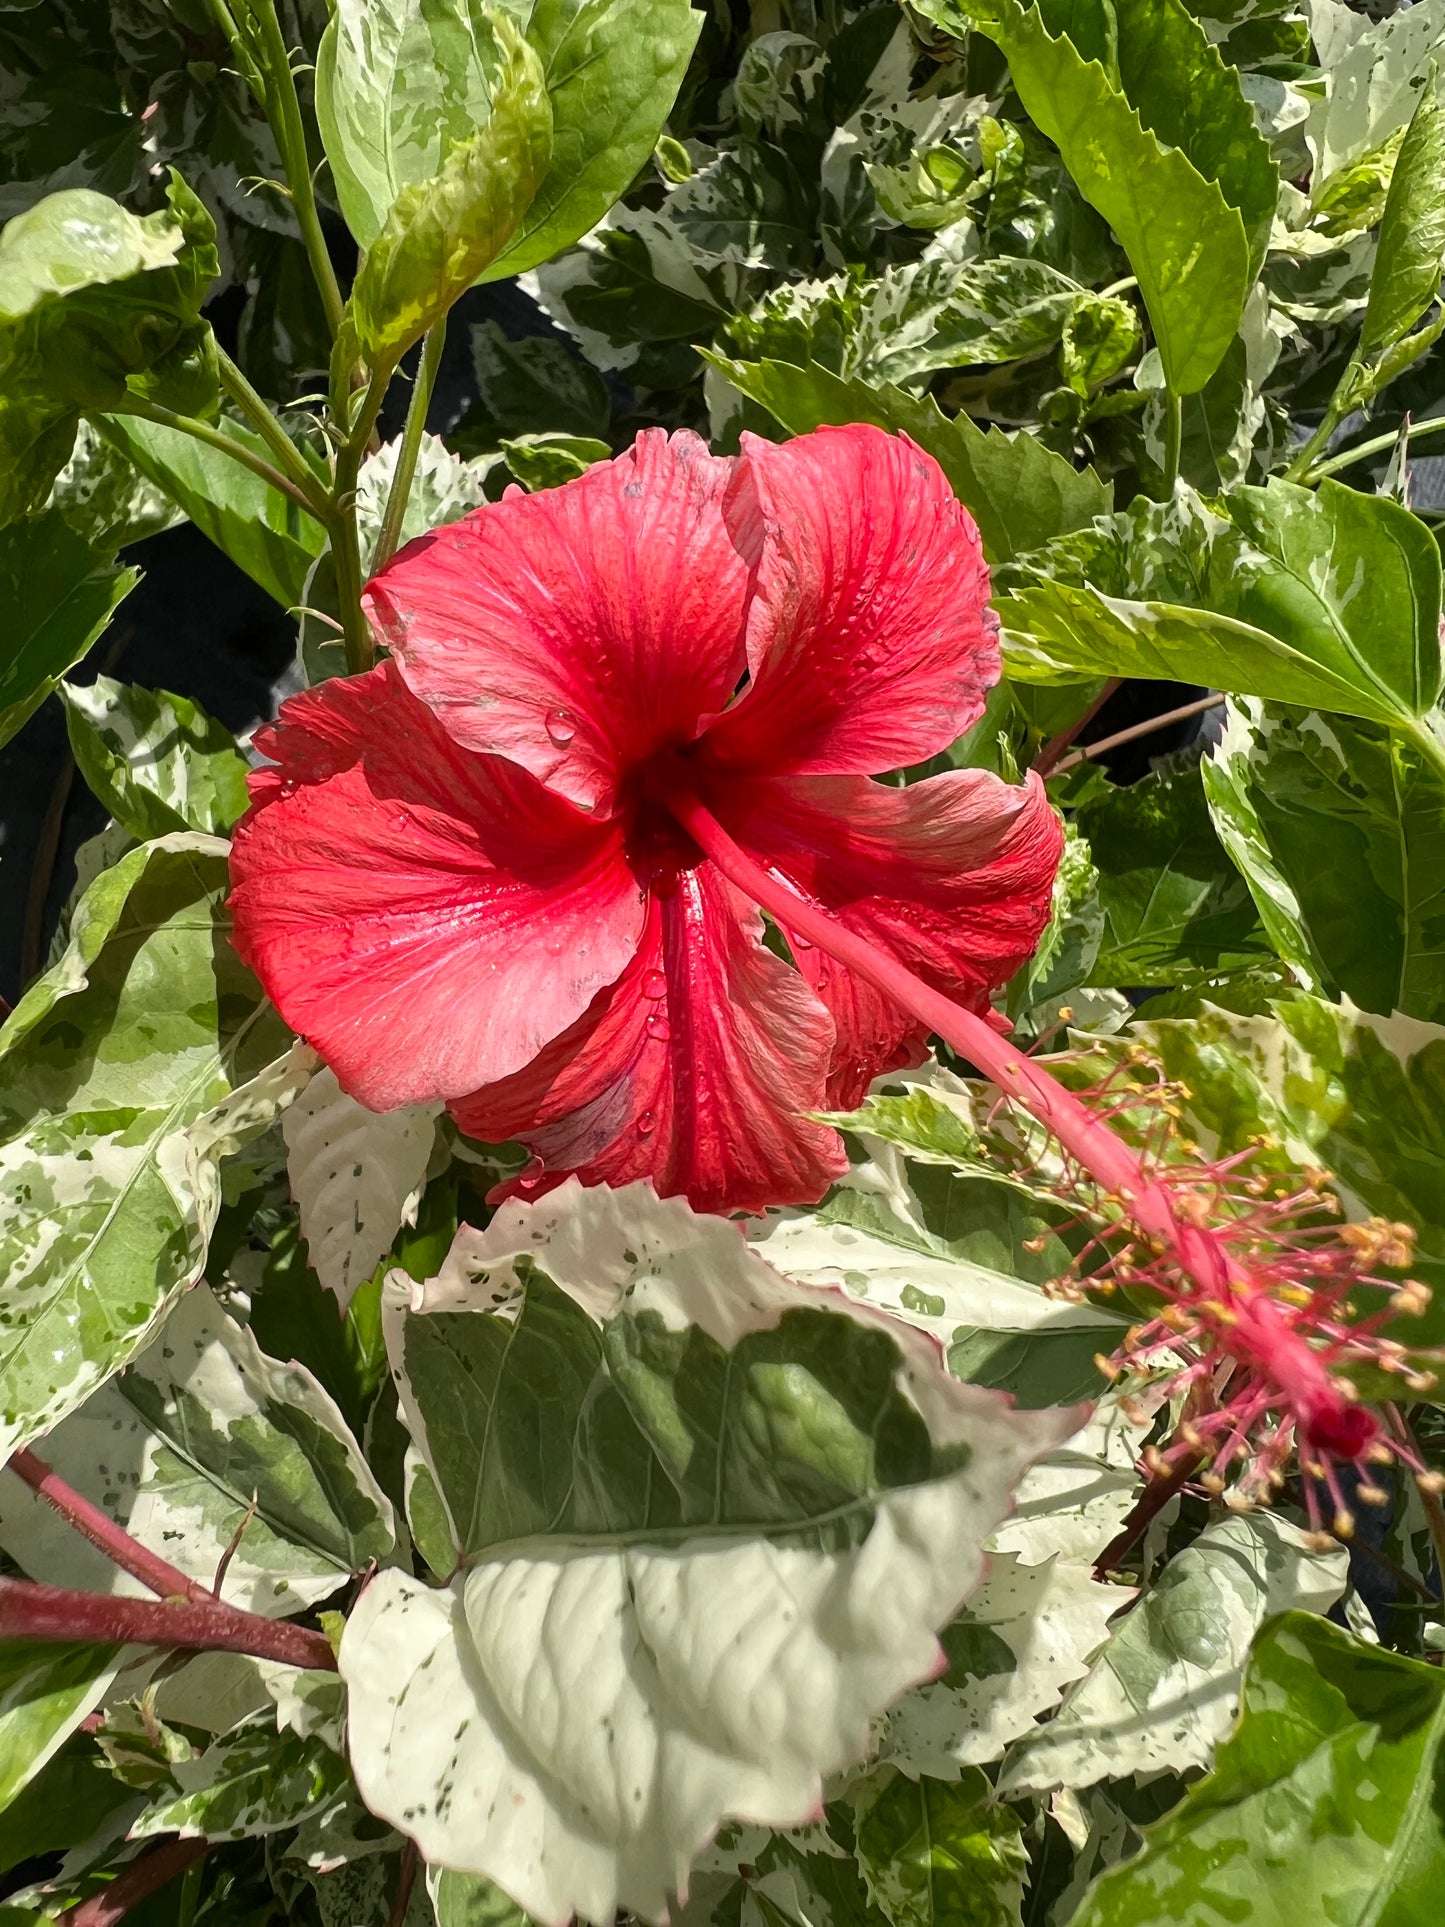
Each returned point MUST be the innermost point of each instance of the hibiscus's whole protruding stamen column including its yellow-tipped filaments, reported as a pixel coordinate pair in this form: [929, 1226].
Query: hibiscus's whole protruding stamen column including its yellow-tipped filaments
[1255, 1292]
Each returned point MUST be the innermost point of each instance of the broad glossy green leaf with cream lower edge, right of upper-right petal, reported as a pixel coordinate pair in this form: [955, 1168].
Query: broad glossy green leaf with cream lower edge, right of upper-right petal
[1263, 604]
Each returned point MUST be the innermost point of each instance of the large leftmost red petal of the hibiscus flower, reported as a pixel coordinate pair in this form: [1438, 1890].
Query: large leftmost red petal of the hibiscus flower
[427, 918]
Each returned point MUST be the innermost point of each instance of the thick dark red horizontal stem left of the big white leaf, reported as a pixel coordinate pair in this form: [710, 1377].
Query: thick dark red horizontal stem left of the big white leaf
[55, 1614]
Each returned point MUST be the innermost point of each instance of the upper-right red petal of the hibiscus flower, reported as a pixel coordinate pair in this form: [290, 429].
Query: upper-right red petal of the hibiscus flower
[870, 637]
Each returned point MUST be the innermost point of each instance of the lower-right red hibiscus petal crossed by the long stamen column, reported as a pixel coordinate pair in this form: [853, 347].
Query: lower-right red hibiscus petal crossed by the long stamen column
[953, 876]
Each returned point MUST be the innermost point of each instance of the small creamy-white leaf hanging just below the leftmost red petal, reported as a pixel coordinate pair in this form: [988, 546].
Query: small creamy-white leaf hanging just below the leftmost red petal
[355, 1176]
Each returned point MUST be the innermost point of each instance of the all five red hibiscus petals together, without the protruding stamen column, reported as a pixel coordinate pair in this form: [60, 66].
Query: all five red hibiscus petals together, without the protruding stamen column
[461, 878]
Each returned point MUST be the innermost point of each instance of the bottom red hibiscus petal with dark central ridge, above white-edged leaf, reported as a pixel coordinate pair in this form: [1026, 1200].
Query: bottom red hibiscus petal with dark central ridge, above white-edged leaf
[696, 1070]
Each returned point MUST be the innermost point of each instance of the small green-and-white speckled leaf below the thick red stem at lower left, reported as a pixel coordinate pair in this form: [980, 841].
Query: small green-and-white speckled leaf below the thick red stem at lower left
[248, 1783]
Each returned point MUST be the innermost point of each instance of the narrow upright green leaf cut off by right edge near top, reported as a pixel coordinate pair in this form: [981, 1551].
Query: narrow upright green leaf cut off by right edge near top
[1411, 234]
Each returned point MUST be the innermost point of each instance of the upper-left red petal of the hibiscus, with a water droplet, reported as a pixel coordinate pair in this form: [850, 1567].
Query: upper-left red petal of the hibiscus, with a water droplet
[581, 629]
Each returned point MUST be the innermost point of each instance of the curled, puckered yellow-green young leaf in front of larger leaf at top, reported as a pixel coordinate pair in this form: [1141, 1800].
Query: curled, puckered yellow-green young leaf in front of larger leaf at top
[442, 232]
